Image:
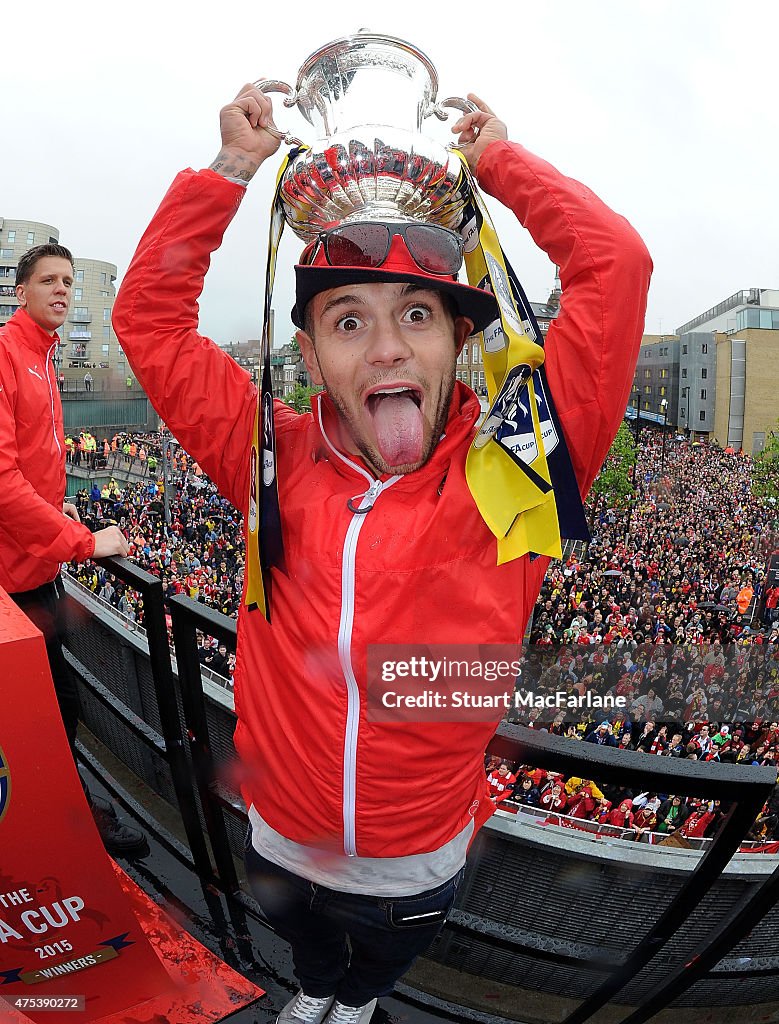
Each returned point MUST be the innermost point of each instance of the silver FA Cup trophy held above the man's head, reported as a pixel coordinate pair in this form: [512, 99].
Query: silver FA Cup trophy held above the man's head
[368, 98]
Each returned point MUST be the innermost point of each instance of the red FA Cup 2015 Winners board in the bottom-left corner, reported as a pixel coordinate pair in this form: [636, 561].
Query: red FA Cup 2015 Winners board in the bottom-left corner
[72, 947]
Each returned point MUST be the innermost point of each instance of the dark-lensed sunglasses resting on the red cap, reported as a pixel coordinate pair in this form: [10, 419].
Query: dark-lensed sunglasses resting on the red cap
[435, 249]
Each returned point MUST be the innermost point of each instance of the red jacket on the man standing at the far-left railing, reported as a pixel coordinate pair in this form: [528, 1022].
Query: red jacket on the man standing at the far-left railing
[35, 536]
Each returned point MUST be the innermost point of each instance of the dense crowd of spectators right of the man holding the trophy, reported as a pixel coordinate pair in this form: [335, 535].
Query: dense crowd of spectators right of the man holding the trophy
[668, 608]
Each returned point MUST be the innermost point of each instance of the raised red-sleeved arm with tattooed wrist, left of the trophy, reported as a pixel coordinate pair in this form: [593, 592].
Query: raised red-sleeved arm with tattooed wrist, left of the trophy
[202, 395]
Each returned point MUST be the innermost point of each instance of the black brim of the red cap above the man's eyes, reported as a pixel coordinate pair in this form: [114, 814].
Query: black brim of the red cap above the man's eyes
[475, 304]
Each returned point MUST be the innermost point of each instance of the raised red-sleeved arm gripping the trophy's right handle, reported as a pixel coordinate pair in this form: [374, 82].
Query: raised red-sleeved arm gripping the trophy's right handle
[605, 269]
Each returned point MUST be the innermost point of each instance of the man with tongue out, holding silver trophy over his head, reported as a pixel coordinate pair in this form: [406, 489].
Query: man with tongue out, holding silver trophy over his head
[386, 537]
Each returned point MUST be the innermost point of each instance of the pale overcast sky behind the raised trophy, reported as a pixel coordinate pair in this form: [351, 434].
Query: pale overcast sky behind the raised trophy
[668, 110]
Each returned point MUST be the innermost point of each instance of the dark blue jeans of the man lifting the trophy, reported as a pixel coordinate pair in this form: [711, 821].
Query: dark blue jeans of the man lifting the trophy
[386, 934]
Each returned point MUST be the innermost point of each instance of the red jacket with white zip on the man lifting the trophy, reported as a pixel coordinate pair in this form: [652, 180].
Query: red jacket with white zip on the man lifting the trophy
[421, 567]
